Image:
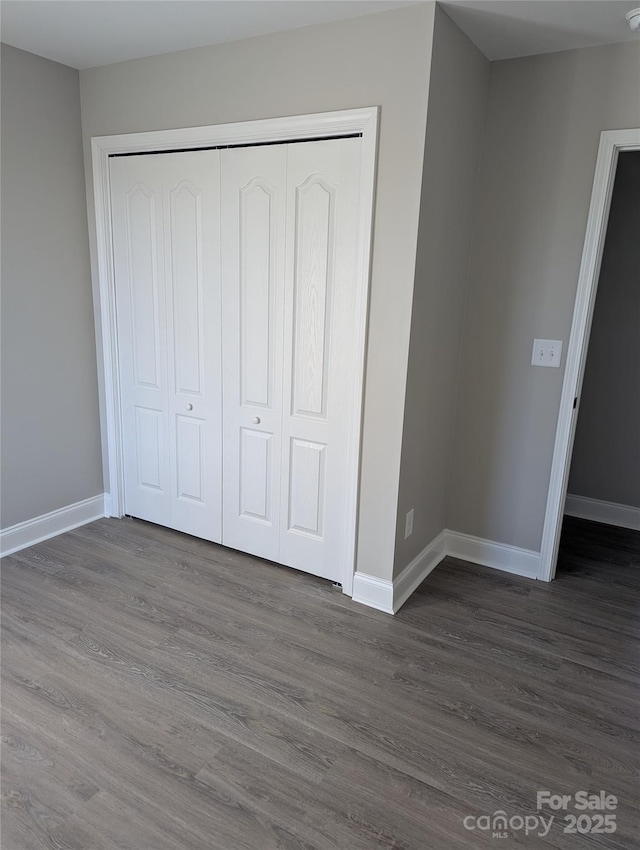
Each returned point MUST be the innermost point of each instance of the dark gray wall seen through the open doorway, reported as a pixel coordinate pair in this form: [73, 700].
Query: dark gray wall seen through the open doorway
[606, 453]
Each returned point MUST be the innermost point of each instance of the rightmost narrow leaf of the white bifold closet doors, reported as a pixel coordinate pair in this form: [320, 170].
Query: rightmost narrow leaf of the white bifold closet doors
[322, 250]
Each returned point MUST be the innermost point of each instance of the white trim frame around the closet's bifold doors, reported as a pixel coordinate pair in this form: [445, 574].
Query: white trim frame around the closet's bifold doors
[319, 125]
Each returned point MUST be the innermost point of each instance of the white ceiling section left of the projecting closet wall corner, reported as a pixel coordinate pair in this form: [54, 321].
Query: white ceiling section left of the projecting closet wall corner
[88, 33]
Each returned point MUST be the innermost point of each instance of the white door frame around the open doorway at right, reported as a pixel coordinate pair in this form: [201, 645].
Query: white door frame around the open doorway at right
[612, 142]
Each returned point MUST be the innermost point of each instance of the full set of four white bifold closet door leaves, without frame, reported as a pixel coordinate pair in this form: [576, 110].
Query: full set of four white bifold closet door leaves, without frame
[236, 301]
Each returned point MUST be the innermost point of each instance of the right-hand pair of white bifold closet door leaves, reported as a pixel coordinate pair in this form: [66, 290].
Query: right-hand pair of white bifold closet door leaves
[289, 256]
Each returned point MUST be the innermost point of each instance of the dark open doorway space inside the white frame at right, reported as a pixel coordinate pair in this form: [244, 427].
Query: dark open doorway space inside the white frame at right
[602, 507]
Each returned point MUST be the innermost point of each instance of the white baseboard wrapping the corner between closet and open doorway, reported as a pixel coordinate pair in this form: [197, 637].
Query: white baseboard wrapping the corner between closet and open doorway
[389, 596]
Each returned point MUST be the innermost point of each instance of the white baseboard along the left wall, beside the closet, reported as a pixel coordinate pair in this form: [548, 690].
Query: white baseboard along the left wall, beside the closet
[25, 534]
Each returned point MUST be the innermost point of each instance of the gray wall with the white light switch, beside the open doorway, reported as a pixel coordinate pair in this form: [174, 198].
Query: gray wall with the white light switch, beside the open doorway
[544, 120]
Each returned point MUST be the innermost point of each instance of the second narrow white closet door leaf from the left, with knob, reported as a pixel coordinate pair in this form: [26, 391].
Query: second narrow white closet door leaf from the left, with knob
[192, 279]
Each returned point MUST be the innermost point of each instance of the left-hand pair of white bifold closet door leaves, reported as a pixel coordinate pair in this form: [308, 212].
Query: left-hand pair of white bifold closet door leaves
[166, 234]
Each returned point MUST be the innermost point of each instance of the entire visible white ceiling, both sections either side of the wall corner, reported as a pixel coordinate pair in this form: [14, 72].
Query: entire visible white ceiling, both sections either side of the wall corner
[88, 33]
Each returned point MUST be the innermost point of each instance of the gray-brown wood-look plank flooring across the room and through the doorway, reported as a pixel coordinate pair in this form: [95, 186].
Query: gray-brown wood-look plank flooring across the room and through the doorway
[162, 693]
